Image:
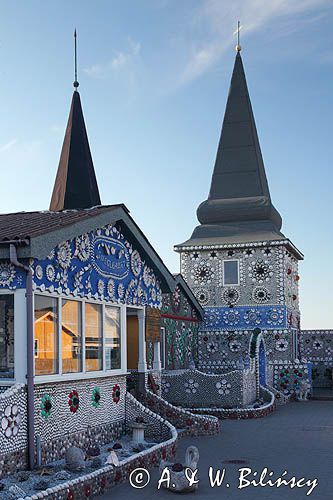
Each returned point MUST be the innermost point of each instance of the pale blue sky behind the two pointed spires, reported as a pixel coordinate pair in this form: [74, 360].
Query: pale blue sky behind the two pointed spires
[154, 77]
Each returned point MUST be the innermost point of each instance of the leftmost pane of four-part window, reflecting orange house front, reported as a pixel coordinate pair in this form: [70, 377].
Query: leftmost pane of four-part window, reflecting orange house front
[46, 327]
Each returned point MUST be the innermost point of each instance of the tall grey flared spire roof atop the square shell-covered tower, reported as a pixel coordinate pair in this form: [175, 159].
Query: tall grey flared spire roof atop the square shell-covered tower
[239, 206]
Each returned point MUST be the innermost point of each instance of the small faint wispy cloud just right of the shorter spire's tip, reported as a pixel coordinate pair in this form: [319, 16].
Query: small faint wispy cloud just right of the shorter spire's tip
[122, 60]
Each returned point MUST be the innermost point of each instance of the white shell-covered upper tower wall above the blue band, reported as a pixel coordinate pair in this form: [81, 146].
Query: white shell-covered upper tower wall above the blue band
[264, 276]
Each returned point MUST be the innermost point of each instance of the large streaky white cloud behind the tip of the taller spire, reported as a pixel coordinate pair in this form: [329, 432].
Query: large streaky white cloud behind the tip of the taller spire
[213, 16]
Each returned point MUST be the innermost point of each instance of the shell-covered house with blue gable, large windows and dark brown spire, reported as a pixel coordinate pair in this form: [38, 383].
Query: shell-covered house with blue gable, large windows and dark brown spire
[72, 278]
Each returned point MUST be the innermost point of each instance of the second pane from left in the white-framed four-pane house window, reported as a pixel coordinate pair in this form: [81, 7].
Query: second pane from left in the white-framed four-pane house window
[71, 336]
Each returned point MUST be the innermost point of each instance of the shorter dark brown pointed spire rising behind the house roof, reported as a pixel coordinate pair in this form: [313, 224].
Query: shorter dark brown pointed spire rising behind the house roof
[75, 186]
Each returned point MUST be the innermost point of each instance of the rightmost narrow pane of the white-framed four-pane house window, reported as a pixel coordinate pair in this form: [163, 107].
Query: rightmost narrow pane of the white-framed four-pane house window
[112, 338]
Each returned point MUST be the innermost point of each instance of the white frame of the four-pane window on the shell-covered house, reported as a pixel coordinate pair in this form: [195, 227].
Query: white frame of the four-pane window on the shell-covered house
[84, 374]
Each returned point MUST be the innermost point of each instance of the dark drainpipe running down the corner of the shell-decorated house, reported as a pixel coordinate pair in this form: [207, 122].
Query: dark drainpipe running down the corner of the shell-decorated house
[30, 355]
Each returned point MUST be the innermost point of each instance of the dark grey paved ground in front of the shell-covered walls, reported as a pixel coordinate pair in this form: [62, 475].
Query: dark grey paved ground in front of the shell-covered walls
[298, 438]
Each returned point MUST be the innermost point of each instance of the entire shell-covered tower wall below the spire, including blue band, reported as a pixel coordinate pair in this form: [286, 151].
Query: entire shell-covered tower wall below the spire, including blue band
[268, 287]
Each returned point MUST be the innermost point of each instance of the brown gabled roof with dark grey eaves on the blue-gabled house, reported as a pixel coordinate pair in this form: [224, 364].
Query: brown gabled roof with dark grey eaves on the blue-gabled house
[43, 231]
